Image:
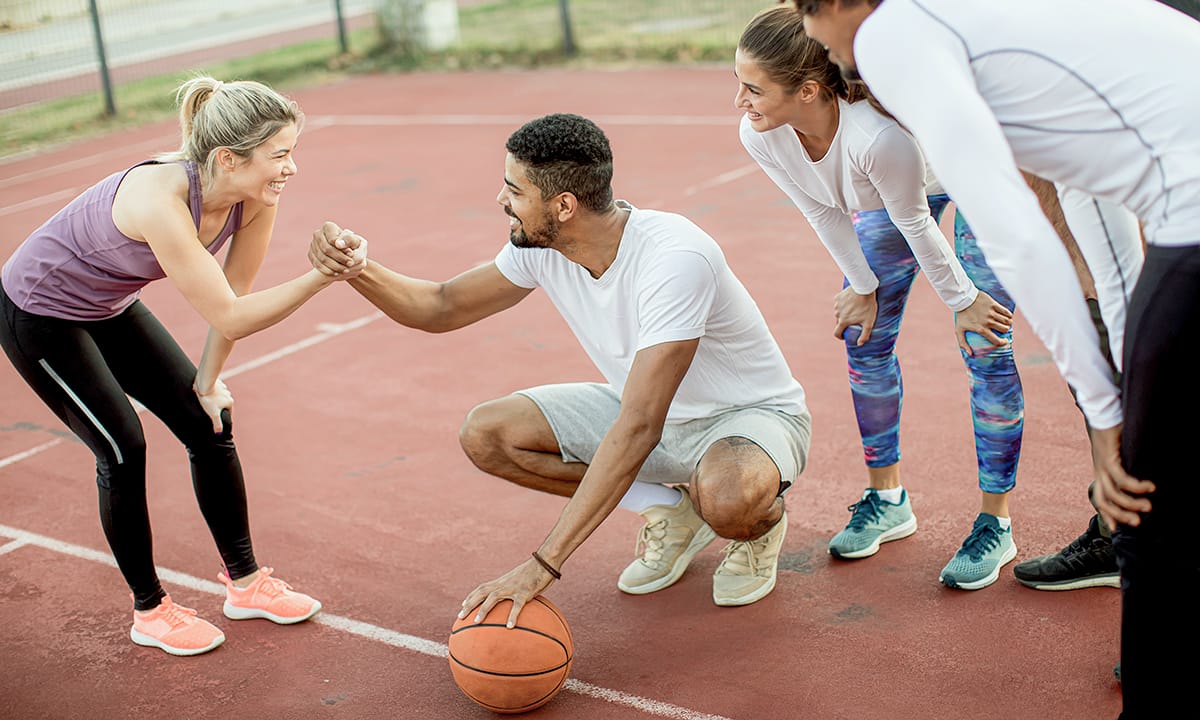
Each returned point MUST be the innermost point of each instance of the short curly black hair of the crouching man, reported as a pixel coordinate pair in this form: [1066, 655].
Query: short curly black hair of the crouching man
[567, 153]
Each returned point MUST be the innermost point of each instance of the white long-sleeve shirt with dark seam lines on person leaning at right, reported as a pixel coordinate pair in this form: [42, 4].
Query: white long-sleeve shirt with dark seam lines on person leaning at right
[1097, 95]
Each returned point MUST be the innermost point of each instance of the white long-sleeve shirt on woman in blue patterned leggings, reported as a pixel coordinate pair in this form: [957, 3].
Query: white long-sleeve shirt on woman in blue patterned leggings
[872, 164]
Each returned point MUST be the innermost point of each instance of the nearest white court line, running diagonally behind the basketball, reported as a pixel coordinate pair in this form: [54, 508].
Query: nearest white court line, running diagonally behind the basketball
[350, 626]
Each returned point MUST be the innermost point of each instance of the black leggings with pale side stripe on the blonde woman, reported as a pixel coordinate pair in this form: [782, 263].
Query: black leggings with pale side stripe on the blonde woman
[83, 373]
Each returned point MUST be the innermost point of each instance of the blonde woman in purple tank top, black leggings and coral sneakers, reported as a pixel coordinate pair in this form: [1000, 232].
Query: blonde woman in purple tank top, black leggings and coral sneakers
[76, 332]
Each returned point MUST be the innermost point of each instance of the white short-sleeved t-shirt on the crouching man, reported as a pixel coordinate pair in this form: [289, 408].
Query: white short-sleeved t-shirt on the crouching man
[669, 283]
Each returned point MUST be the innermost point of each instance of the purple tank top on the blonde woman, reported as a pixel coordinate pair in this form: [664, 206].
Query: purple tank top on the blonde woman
[80, 267]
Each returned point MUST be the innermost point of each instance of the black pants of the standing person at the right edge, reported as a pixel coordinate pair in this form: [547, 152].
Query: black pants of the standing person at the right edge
[1159, 560]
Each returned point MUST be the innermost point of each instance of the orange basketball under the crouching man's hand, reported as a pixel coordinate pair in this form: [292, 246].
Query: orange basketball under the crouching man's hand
[513, 670]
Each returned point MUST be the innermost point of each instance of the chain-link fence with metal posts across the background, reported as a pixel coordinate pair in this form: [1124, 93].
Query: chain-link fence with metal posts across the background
[65, 49]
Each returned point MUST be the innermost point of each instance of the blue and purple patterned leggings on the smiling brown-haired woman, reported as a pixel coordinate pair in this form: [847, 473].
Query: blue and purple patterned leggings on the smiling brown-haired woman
[998, 404]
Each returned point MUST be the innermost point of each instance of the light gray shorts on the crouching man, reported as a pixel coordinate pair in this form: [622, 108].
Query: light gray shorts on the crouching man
[580, 415]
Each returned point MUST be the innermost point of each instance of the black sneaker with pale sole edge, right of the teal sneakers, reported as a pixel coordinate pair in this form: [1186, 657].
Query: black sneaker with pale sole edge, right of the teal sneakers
[1089, 562]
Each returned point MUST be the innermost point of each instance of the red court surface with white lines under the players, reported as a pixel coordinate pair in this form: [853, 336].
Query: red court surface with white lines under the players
[359, 494]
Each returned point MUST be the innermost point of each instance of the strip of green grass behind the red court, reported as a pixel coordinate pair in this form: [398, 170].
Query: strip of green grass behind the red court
[494, 35]
